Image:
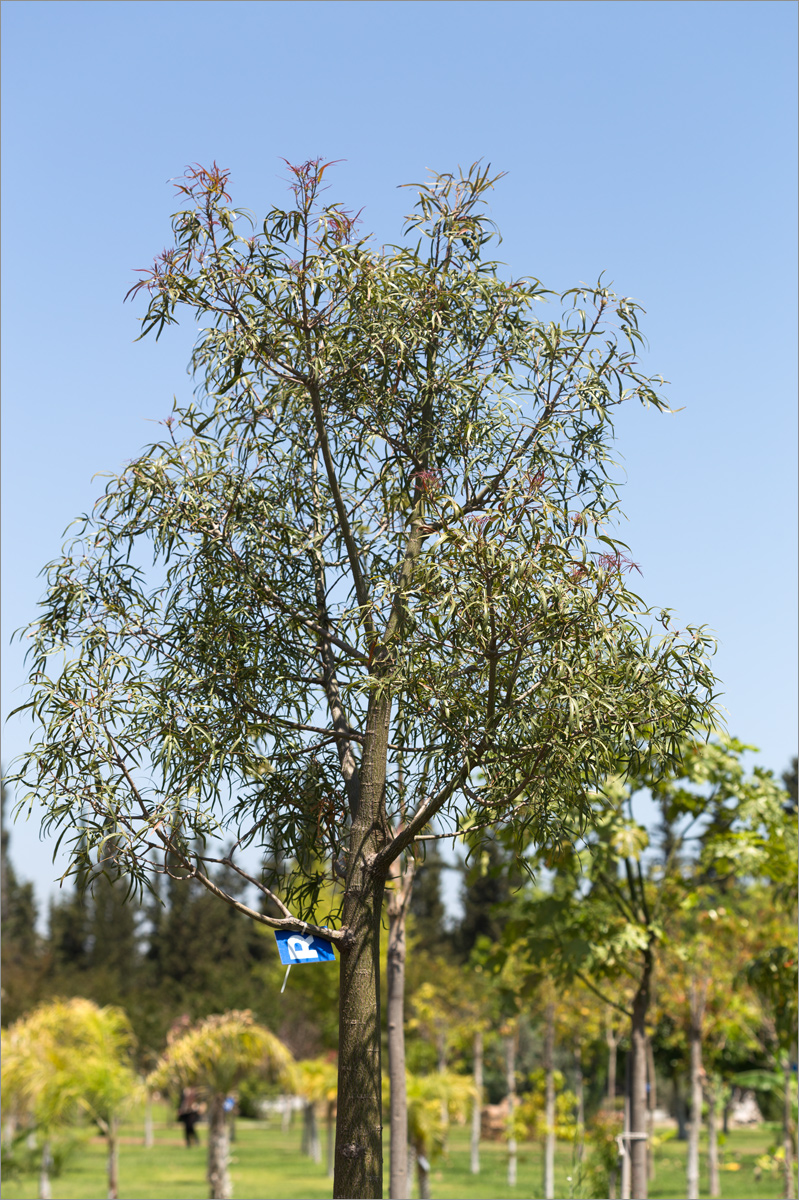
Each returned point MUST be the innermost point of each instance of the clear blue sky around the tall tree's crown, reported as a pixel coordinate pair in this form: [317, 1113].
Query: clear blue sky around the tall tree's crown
[652, 141]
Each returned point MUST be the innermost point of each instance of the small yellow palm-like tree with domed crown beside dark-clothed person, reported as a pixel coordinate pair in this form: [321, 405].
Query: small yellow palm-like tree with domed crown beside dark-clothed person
[218, 1055]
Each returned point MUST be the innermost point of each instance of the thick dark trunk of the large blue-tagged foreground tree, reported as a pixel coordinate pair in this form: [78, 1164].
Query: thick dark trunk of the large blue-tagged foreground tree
[359, 1129]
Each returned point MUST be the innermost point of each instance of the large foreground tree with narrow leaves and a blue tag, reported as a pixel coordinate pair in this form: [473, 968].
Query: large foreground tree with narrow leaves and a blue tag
[392, 503]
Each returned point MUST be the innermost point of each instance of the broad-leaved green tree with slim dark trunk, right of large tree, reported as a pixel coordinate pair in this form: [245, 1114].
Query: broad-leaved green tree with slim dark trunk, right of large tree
[608, 915]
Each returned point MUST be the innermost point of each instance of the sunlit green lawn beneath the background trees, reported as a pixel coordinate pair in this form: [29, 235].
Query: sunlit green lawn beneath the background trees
[268, 1165]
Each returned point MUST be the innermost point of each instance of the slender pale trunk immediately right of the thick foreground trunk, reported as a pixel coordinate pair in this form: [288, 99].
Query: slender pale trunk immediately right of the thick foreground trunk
[399, 901]
